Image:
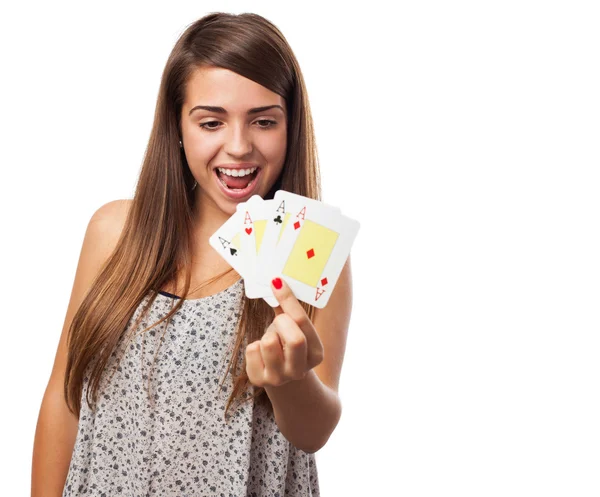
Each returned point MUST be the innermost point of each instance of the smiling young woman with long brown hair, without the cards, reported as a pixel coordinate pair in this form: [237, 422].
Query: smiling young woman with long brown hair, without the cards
[167, 379]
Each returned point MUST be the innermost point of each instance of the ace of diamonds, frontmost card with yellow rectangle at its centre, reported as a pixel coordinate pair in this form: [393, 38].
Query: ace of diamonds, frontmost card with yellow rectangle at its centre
[313, 248]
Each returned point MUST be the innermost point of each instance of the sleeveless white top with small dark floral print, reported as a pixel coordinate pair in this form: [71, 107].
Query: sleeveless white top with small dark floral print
[180, 444]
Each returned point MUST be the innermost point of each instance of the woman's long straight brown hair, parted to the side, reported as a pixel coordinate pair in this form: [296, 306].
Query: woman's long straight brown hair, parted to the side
[155, 245]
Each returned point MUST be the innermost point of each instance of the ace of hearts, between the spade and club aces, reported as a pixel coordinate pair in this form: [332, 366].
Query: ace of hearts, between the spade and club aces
[253, 215]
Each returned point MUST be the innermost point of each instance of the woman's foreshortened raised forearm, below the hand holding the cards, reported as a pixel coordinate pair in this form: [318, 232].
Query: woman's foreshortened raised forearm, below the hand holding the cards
[306, 411]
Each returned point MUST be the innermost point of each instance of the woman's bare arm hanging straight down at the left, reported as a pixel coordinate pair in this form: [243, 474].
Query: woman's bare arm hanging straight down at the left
[56, 429]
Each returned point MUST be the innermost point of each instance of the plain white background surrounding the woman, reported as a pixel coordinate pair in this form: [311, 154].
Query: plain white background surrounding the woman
[464, 138]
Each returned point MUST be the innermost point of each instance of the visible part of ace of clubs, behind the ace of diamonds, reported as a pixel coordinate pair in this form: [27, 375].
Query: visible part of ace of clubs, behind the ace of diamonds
[279, 213]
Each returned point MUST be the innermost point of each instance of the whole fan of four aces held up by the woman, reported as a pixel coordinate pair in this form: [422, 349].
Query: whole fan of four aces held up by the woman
[301, 240]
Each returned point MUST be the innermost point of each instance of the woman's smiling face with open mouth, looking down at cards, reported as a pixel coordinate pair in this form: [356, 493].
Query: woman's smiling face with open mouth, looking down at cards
[233, 150]
